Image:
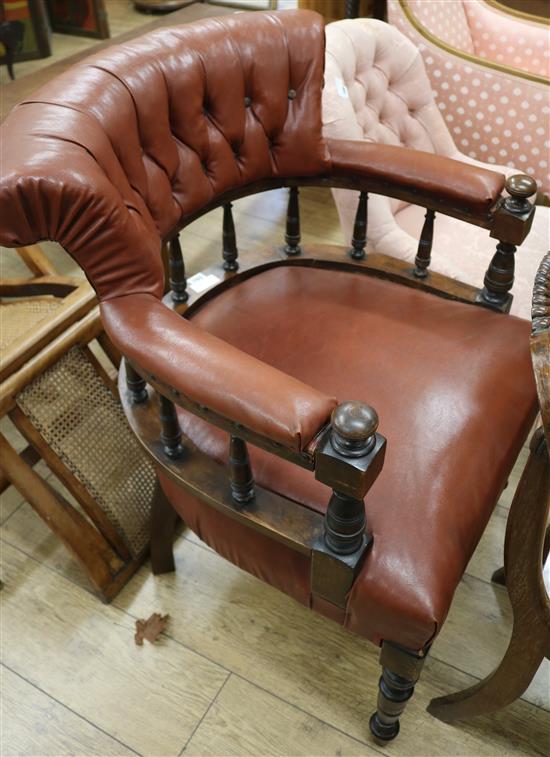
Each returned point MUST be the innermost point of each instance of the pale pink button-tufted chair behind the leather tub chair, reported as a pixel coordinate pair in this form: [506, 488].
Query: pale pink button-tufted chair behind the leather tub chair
[376, 89]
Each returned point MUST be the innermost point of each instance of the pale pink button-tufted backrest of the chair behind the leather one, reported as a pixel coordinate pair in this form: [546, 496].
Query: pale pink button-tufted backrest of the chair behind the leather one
[376, 89]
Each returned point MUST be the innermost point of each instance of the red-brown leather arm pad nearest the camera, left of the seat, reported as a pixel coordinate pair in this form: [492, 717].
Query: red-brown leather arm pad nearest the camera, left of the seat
[215, 374]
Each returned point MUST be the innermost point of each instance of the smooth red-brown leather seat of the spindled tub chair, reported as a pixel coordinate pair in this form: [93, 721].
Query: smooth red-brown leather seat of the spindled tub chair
[454, 390]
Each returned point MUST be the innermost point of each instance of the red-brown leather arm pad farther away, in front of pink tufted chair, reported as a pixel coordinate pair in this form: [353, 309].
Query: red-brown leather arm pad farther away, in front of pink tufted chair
[431, 177]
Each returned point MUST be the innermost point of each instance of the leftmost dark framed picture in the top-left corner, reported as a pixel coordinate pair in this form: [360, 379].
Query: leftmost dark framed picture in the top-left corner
[29, 20]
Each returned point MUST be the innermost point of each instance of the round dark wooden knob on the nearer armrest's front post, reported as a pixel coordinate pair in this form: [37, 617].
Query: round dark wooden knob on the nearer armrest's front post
[353, 427]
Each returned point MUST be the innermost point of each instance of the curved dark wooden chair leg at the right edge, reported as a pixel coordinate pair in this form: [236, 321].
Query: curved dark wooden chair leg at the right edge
[526, 543]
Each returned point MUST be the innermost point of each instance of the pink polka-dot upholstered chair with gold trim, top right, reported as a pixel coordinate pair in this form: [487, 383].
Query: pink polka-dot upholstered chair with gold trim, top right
[489, 69]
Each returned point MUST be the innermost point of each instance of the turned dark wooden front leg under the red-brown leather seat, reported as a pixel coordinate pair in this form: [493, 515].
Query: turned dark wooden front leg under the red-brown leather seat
[400, 671]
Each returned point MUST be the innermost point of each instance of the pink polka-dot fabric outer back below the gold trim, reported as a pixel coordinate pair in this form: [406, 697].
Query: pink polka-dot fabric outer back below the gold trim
[492, 116]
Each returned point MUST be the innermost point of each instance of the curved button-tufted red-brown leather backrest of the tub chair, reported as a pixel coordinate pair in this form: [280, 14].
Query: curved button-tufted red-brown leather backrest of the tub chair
[110, 157]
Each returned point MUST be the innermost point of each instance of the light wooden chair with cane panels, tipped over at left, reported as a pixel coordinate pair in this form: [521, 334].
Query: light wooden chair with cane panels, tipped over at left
[58, 386]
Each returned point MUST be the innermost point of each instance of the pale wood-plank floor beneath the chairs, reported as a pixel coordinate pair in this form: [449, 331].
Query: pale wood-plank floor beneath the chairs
[241, 669]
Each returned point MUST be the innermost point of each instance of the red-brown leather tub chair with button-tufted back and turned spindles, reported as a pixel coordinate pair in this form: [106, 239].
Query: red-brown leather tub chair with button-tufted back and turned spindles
[118, 154]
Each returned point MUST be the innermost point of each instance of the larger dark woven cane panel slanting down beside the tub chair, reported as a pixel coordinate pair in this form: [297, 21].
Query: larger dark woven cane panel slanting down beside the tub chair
[85, 426]
